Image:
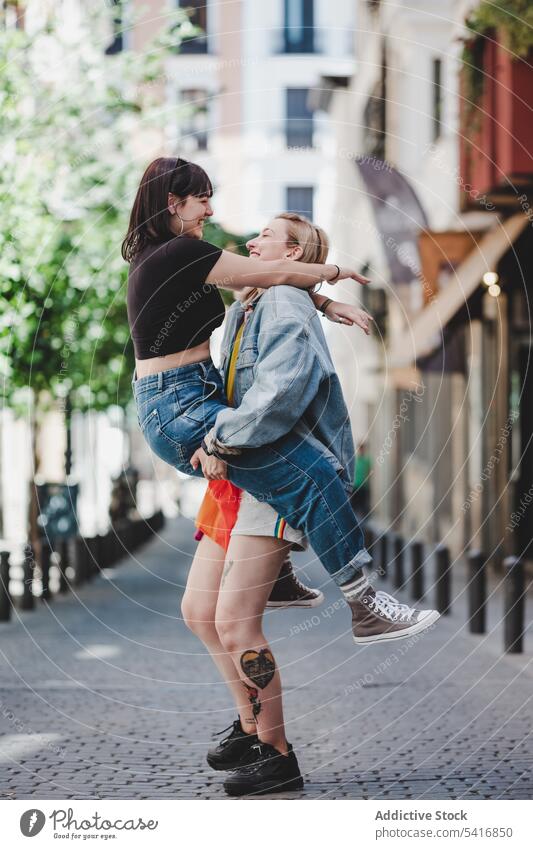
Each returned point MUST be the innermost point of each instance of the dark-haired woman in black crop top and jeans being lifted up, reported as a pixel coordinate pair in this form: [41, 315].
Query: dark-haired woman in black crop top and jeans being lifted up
[173, 307]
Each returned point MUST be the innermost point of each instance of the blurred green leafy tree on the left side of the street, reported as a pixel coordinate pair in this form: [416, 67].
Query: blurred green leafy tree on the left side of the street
[69, 120]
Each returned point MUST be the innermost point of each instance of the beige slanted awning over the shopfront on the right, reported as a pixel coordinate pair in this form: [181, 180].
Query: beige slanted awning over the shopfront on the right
[424, 333]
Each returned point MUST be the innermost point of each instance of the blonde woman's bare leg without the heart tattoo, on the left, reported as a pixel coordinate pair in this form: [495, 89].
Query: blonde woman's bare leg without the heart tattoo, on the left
[198, 608]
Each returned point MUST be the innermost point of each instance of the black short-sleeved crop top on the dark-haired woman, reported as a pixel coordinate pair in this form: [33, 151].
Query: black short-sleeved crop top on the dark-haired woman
[170, 306]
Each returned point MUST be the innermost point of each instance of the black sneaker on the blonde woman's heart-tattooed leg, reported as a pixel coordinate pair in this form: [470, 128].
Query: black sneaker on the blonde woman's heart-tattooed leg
[270, 772]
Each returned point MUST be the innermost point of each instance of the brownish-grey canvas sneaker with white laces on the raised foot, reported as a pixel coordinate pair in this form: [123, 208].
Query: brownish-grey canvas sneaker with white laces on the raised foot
[378, 616]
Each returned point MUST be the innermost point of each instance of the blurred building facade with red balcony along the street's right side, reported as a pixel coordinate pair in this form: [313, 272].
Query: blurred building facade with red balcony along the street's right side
[439, 213]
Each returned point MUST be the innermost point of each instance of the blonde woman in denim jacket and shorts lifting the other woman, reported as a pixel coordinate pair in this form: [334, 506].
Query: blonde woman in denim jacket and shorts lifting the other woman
[279, 378]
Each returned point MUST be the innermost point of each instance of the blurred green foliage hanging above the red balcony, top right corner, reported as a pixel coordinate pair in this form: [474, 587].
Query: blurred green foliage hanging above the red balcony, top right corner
[511, 22]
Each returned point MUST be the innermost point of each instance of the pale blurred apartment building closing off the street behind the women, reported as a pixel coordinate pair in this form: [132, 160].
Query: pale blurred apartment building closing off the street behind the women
[240, 100]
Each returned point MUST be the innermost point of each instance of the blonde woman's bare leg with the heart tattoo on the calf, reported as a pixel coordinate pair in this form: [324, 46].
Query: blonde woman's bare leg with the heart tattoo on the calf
[252, 566]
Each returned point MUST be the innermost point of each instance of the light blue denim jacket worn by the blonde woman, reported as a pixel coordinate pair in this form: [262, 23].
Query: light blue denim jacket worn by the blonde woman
[285, 380]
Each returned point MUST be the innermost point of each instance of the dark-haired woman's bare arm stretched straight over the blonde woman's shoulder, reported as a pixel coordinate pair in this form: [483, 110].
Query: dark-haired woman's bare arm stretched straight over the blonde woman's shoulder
[232, 271]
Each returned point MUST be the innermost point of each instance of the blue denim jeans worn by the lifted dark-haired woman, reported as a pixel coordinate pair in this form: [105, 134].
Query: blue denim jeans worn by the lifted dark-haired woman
[176, 408]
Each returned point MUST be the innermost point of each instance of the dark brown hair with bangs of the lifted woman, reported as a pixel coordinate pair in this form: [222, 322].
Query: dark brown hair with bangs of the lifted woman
[150, 218]
